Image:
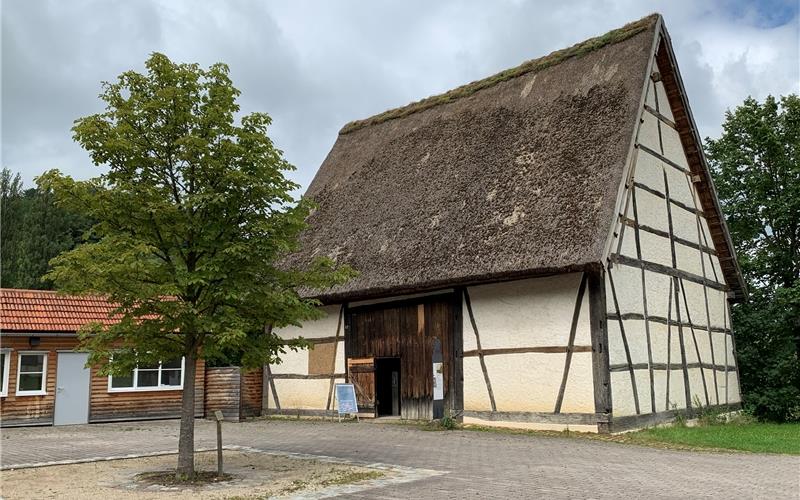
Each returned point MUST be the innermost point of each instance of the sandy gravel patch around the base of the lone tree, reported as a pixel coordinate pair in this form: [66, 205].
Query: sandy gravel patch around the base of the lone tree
[253, 475]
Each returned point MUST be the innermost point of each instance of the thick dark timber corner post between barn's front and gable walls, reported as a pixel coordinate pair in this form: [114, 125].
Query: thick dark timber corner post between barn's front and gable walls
[601, 373]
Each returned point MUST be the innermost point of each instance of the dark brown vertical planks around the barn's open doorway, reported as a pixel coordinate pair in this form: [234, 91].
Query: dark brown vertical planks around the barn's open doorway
[406, 330]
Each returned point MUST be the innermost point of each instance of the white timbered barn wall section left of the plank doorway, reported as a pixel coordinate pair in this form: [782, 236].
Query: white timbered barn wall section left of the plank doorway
[301, 382]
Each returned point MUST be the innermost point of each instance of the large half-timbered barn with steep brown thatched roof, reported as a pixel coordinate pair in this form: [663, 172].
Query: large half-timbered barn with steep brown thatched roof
[551, 235]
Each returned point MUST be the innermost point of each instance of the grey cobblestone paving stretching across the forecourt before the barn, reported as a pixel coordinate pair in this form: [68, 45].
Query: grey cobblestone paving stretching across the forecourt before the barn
[475, 464]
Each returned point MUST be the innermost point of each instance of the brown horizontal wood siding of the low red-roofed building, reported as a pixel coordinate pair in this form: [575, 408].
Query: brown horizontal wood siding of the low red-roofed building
[104, 406]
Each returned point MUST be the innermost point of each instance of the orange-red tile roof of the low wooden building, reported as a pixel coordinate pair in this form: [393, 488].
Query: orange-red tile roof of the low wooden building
[46, 311]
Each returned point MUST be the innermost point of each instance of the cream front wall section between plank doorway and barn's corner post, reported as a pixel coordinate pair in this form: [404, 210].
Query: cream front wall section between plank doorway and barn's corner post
[518, 346]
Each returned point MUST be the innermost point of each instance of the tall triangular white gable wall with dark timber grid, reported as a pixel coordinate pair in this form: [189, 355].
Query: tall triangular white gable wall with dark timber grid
[668, 324]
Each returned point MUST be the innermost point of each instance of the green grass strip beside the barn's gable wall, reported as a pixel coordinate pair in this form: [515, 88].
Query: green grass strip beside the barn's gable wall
[753, 437]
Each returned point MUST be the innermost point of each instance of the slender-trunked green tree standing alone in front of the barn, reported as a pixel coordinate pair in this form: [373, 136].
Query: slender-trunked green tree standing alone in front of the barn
[193, 219]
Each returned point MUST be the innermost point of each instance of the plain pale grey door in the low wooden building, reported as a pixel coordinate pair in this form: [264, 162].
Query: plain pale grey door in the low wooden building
[72, 389]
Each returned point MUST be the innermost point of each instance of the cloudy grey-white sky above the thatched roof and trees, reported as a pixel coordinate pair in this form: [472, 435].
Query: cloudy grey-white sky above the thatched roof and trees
[315, 65]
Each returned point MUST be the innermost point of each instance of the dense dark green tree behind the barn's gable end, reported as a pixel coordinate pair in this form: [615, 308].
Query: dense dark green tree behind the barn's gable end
[756, 168]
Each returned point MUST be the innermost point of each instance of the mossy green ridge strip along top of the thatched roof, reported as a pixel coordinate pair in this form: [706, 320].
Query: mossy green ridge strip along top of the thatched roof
[534, 65]
